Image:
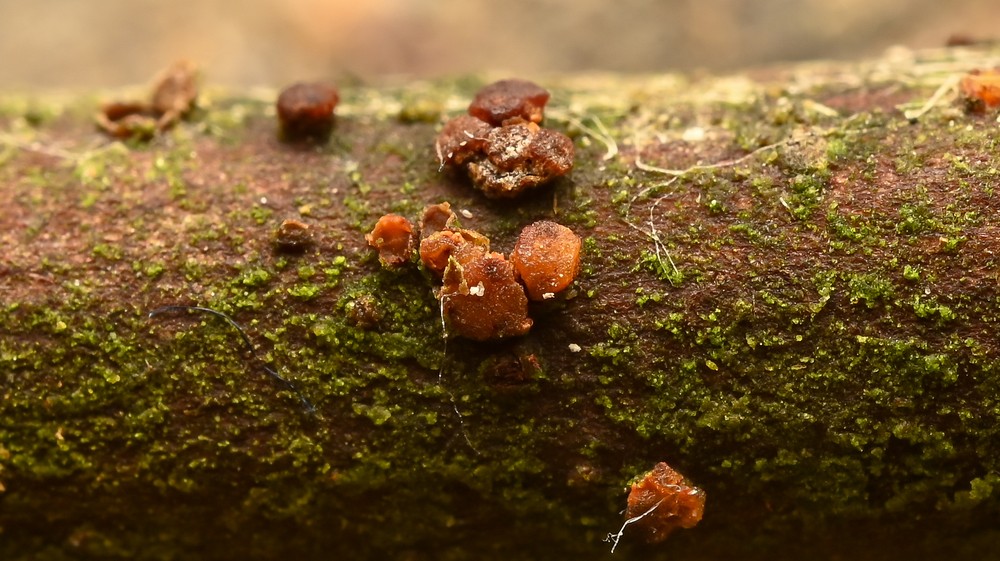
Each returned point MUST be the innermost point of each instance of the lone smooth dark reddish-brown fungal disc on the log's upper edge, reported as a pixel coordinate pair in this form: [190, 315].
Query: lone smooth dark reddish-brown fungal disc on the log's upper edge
[305, 110]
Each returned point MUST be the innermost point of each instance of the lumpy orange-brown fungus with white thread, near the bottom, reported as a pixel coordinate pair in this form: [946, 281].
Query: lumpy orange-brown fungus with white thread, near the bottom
[665, 502]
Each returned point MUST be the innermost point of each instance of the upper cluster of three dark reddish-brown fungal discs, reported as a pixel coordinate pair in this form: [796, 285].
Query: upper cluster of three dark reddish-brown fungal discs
[500, 144]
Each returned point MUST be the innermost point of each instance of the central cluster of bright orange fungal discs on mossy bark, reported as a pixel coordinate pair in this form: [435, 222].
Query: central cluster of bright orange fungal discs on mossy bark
[483, 295]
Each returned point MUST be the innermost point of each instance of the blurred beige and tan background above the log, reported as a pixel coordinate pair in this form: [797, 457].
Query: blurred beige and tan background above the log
[108, 43]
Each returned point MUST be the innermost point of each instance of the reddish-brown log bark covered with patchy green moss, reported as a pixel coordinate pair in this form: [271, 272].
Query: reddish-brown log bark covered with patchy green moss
[803, 321]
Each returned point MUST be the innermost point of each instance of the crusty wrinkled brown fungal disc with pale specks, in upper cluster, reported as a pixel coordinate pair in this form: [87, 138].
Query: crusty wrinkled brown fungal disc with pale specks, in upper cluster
[519, 157]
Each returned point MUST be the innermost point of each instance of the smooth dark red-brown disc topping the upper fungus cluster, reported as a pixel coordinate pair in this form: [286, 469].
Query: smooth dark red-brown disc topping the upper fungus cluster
[508, 100]
